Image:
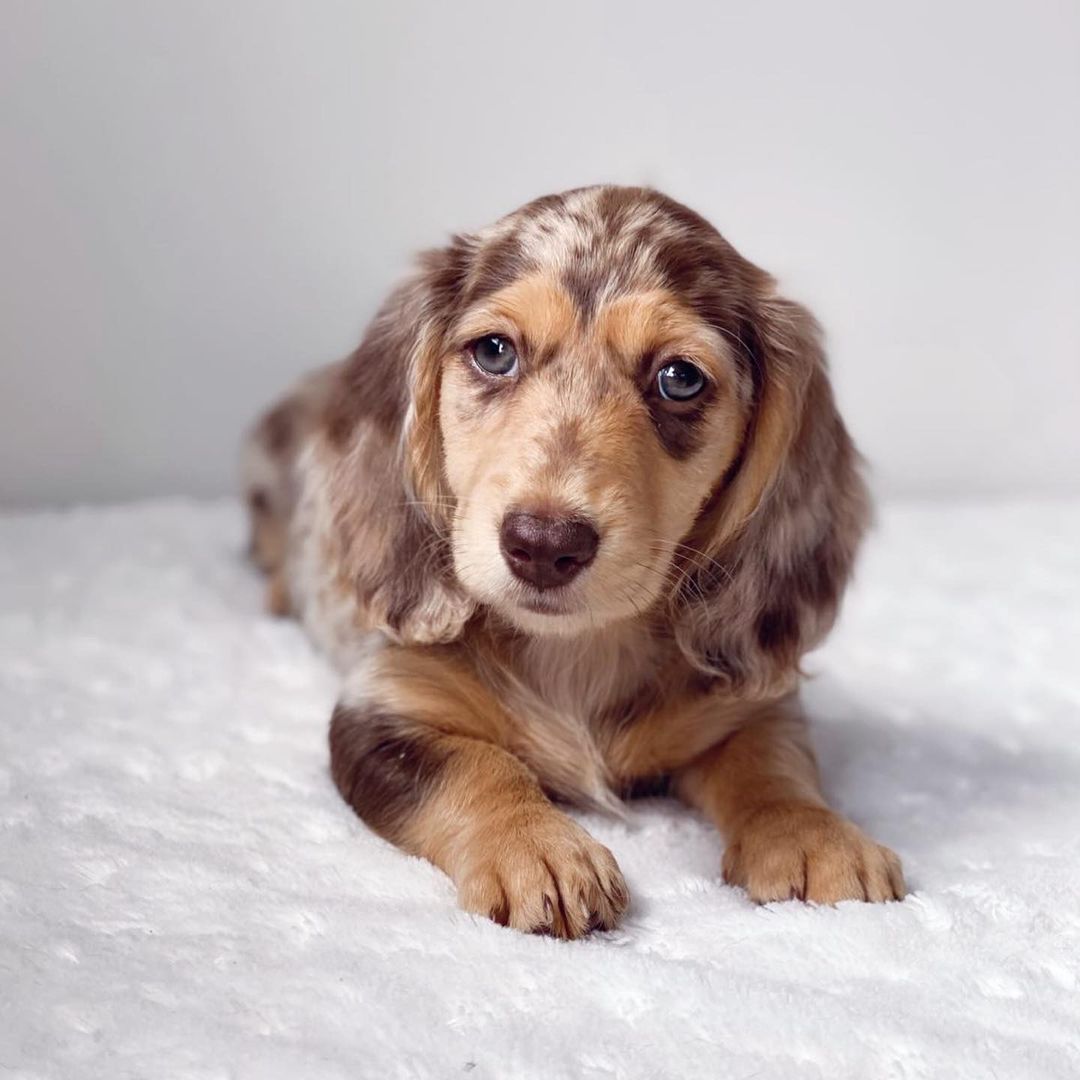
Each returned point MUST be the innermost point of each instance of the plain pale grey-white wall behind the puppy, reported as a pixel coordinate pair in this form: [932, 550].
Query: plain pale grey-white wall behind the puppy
[200, 199]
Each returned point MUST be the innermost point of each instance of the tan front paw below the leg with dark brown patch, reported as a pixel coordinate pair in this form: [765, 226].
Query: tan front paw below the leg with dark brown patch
[544, 874]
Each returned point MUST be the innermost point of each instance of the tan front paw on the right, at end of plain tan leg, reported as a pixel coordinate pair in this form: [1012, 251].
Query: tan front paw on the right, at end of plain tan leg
[789, 853]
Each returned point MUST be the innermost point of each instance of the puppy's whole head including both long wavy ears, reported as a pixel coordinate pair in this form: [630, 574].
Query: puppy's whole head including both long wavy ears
[600, 411]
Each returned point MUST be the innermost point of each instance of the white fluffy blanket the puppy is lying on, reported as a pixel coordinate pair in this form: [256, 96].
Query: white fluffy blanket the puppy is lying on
[185, 896]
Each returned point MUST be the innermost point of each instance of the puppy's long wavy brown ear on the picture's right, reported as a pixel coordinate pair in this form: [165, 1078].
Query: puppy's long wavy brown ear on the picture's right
[781, 537]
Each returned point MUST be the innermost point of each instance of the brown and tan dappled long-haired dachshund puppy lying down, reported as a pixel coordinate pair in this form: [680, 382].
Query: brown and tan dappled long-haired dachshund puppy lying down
[566, 521]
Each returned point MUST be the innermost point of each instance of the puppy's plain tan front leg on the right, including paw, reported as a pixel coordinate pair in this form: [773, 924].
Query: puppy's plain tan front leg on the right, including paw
[762, 789]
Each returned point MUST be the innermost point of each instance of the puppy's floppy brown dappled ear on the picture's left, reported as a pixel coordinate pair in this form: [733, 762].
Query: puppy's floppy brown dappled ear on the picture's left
[388, 508]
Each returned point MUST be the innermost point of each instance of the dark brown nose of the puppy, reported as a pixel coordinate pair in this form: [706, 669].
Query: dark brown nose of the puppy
[547, 552]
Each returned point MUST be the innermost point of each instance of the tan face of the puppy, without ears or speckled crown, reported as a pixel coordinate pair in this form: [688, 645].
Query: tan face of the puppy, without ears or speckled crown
[582, 441]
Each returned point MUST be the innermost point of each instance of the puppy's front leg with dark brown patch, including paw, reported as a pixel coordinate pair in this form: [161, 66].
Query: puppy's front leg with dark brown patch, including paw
[414, 750]
